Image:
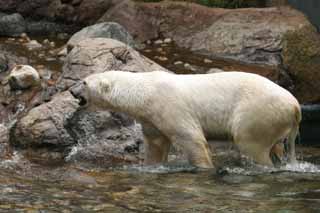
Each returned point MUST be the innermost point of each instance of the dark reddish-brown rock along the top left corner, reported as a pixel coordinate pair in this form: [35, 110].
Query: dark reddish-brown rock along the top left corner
[76, 11]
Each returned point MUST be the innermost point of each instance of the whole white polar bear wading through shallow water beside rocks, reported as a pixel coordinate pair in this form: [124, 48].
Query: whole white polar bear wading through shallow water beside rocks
[248, 109]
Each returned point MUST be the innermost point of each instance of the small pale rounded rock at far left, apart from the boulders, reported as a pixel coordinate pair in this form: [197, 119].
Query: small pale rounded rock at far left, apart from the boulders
[23, 77]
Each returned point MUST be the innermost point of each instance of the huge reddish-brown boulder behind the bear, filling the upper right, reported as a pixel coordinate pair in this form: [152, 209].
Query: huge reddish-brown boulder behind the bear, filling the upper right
[280, 39]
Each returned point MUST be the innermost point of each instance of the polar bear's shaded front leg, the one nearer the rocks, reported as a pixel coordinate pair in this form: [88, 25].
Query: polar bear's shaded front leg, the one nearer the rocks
[157, 146]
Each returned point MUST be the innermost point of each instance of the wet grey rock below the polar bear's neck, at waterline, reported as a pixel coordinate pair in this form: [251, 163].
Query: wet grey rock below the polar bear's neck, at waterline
[111, 138]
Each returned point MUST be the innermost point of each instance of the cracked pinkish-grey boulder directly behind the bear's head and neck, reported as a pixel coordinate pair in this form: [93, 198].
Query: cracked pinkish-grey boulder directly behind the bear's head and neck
[96, 55]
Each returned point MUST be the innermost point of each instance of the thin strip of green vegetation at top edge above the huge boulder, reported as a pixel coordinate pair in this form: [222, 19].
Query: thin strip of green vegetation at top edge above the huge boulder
[221, 3]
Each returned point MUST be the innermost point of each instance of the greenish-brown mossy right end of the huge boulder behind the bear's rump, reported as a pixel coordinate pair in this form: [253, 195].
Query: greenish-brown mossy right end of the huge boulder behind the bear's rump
[301, 57]
